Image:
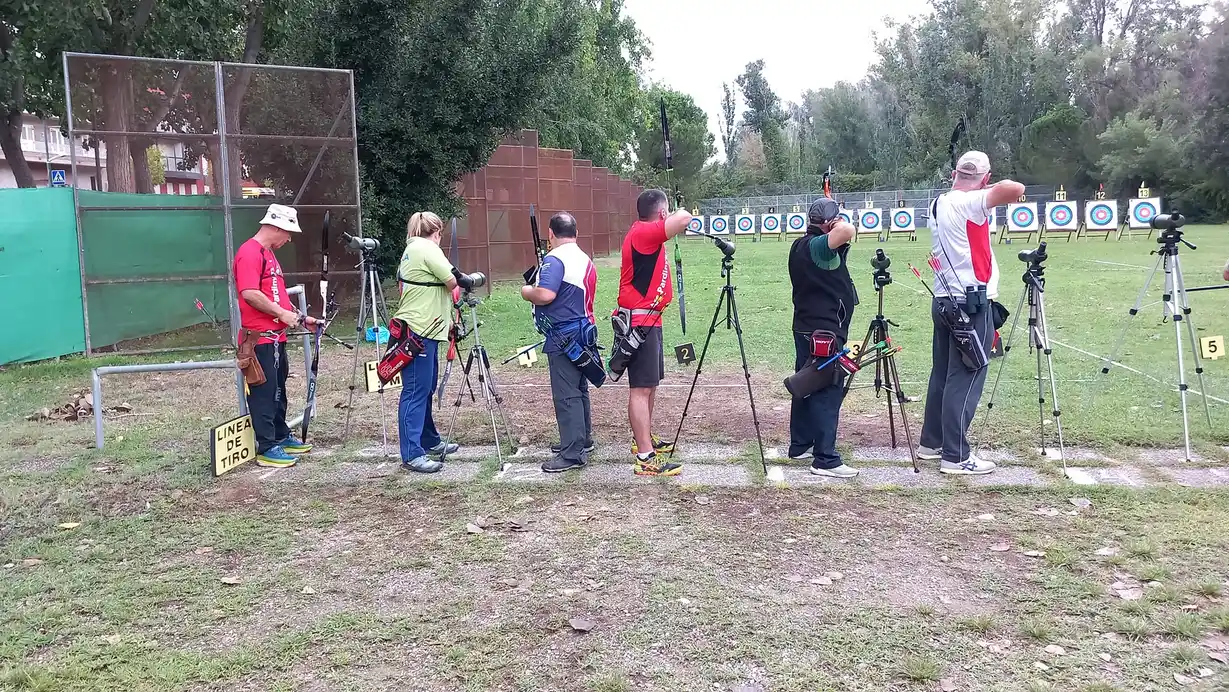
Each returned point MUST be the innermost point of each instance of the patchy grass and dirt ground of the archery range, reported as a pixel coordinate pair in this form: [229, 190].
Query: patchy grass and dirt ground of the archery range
[132, 570]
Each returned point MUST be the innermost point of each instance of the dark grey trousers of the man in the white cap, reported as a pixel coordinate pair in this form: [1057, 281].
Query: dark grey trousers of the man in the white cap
[954, 391]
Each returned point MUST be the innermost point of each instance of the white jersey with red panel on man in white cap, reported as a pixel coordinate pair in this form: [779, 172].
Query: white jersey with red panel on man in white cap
[960, 238]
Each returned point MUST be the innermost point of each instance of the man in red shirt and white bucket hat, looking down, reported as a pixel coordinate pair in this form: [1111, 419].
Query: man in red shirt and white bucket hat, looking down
[266, 309]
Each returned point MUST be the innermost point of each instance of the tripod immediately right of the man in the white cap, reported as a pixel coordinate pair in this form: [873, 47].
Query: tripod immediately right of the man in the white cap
[1039, 341]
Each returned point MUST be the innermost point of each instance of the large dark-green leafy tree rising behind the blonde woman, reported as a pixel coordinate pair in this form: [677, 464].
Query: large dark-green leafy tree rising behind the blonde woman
[439, 84]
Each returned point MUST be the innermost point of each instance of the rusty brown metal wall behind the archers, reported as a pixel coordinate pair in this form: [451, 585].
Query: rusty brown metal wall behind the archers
[495, 235]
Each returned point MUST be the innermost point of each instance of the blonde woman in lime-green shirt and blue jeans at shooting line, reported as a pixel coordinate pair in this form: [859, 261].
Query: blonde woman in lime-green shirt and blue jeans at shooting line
[426, 280]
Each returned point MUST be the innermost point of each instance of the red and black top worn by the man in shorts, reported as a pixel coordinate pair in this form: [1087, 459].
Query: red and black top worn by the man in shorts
[645, 280]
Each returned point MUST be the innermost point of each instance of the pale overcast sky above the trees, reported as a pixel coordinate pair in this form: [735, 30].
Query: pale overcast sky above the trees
[697, 45]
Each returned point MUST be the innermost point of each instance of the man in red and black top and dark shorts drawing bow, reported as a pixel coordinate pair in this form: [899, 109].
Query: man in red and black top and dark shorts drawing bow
[646, 291]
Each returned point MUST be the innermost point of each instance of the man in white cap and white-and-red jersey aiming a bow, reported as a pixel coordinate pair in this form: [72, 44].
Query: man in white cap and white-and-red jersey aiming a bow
[965, 285]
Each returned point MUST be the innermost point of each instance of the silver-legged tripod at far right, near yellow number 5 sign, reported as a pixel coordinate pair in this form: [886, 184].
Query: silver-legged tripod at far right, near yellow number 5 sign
[1177, 305]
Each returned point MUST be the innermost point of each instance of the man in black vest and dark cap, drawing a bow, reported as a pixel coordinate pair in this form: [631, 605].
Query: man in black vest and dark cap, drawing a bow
[824, 301]
